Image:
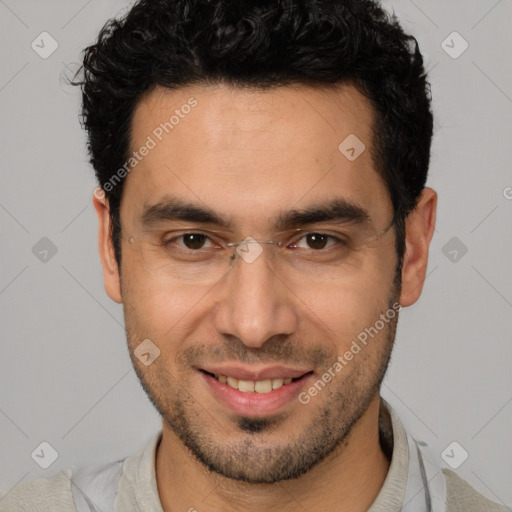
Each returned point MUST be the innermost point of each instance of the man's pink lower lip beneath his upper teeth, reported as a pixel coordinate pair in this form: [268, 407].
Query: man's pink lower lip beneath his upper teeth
[256, 404]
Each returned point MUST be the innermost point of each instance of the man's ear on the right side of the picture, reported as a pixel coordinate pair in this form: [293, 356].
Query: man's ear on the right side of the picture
[419, 225]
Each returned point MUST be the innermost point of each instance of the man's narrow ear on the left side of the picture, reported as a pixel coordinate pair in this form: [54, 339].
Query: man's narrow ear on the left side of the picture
[111, 276]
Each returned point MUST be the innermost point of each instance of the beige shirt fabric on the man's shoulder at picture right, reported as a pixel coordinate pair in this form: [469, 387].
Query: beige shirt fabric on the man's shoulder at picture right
[461, 497]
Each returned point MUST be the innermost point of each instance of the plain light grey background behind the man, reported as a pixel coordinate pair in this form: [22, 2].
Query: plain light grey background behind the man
[65, 375]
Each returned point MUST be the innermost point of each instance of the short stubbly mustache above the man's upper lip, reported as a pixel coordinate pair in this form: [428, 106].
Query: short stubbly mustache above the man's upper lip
[278, 349]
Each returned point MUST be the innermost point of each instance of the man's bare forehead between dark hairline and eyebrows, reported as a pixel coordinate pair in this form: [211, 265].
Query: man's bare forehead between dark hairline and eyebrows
[249, 154]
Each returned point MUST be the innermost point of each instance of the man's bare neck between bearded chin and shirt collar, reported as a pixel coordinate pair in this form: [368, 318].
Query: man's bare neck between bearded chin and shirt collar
[348, 480]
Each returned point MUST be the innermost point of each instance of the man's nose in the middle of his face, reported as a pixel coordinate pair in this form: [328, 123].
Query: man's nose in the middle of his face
[255, 303]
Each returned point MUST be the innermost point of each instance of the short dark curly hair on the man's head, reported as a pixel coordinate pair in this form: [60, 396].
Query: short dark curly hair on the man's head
[262, 44]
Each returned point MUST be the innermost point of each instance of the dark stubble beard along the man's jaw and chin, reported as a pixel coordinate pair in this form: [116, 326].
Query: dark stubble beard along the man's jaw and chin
[253, 455]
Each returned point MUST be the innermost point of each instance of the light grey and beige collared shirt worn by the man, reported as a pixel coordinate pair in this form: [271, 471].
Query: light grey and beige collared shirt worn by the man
[414, 483]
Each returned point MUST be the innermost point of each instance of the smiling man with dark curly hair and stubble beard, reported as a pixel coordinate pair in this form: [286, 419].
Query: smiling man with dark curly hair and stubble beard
[263, 217]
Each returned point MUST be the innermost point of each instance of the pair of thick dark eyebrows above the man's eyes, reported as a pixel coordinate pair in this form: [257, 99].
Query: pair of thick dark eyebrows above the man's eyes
[337, 210]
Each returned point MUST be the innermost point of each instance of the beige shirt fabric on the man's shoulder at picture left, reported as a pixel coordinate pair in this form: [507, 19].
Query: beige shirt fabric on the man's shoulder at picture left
[40, 494]
